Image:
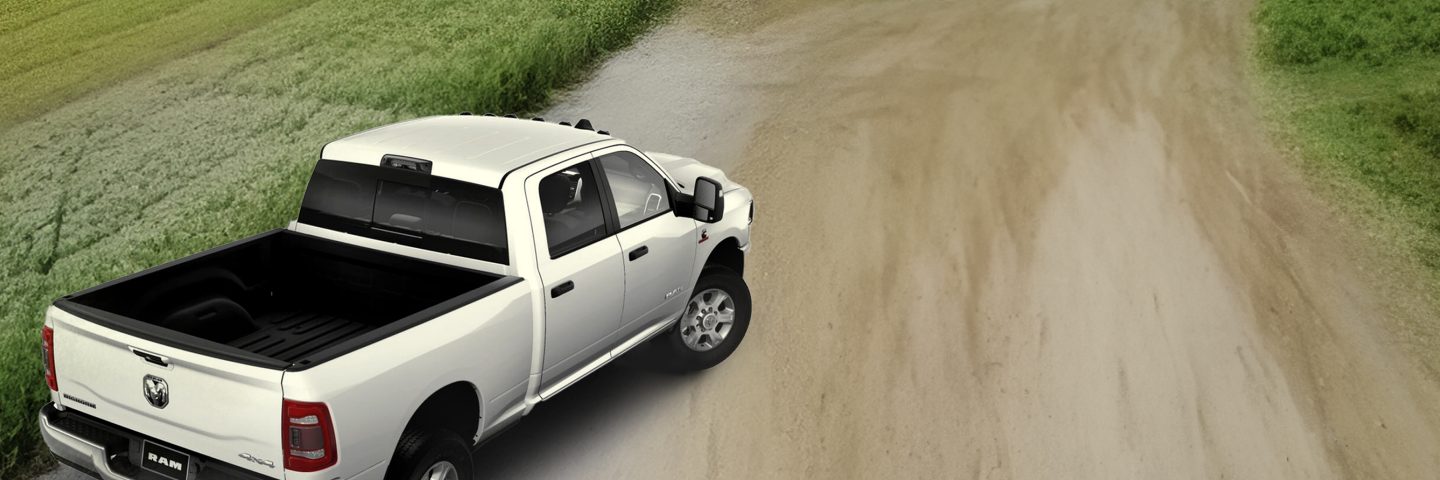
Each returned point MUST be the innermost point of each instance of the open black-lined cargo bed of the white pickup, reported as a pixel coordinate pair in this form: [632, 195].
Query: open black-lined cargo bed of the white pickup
[282, 299]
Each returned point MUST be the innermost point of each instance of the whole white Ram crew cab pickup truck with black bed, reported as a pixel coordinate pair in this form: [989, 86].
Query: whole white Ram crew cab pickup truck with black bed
[444, 276]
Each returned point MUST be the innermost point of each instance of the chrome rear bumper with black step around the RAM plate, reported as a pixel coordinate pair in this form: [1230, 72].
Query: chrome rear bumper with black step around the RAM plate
[104, 450]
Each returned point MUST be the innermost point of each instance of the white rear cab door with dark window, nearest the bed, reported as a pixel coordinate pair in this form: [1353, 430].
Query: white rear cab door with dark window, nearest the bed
[580, 265]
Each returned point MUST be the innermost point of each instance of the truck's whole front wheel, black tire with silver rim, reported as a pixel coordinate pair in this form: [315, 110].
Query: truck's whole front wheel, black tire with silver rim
[712, 326]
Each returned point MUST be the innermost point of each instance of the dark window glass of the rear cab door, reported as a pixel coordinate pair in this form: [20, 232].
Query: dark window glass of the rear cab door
[574, 214]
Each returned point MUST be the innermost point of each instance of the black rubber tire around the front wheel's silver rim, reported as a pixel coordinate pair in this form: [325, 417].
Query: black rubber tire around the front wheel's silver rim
[672, 354]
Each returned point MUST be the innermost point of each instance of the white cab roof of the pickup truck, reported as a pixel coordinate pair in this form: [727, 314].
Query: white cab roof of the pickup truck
[476, 149]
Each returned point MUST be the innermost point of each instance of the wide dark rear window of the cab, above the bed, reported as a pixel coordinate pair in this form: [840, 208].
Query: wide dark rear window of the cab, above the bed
[408, 208]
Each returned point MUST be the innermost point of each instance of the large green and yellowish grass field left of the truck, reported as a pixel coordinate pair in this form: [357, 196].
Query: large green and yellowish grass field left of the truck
[138, 133]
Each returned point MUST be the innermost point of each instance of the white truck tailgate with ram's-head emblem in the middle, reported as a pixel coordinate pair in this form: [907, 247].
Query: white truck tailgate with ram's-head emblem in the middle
[208, 406]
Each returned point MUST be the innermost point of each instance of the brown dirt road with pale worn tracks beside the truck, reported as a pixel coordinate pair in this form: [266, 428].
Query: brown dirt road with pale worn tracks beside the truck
[999, 240]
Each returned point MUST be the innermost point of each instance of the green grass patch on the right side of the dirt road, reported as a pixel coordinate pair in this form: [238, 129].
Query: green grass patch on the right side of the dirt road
[1356, 87]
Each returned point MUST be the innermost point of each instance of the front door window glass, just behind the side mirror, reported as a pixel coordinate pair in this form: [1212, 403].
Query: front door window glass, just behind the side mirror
[637, 190]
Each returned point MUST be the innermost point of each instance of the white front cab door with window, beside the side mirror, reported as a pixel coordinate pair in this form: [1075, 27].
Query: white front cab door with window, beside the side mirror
[659, 247]
